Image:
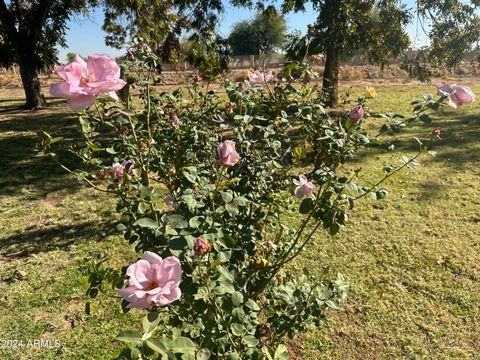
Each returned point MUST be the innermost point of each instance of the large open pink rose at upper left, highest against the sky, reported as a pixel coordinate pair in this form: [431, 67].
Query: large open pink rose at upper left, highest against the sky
[84, 80]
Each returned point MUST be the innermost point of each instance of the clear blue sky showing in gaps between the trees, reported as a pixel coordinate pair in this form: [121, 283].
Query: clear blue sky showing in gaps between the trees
[85, 36]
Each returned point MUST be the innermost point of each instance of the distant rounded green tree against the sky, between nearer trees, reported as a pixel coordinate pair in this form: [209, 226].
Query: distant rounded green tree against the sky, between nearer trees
[266, 31]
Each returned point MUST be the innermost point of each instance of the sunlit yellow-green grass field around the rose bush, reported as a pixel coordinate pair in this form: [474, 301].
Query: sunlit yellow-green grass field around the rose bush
[411, 260]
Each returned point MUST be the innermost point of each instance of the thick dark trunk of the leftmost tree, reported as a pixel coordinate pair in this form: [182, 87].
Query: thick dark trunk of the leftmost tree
[31, 85]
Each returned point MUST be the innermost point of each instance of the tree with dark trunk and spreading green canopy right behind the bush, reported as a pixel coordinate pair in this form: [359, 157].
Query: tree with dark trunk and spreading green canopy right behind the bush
[376, 28]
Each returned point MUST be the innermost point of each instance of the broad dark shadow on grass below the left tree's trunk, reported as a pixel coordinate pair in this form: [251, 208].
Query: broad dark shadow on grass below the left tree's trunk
[22, 172]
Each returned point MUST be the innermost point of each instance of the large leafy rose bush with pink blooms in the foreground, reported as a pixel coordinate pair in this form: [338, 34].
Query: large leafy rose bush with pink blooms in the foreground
[206, 195]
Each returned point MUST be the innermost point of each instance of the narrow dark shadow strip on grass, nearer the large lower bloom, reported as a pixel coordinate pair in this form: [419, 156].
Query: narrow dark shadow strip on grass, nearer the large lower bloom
[34, 240]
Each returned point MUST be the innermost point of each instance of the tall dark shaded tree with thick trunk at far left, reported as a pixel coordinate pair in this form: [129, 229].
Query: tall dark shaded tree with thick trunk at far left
[31, 30]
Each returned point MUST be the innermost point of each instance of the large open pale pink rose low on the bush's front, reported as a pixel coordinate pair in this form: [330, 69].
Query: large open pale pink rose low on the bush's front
[153, 281]
